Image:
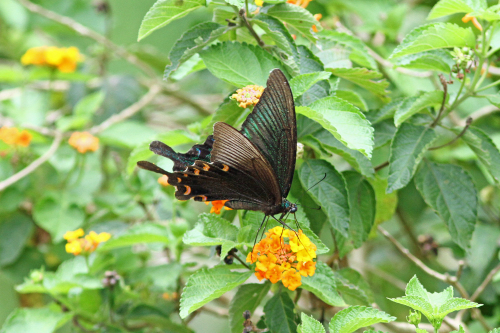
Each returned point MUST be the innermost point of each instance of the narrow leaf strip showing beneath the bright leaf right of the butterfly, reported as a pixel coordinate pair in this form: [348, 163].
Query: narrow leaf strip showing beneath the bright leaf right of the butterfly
[356, 159]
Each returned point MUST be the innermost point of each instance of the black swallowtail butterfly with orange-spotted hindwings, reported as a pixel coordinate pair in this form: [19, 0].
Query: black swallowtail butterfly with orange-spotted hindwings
[252, 168]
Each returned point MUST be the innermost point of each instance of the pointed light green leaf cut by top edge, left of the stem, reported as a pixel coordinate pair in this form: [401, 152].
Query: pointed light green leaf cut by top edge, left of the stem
[165, 11]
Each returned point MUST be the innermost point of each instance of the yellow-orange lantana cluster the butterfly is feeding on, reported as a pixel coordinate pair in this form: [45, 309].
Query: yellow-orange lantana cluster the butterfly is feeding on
[279, 261]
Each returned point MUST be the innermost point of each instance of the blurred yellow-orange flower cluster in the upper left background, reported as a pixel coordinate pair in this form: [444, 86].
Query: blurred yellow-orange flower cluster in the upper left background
[65, 59]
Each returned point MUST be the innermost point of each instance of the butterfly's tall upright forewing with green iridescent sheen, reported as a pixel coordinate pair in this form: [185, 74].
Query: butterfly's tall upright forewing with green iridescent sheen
[272, 128]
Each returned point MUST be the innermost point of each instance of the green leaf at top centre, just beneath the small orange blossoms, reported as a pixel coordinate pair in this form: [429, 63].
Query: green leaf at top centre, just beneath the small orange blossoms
[297, 17]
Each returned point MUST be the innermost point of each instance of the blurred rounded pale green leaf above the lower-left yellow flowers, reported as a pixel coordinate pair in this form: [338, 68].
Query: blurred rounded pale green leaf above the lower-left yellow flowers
[57, 215]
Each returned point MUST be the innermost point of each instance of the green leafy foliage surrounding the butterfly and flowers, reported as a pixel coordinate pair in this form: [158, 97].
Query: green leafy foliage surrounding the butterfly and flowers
[374, 114]
